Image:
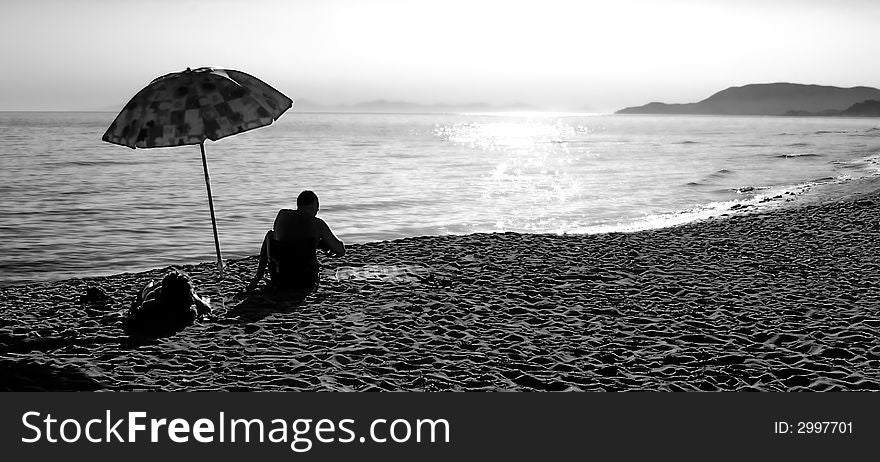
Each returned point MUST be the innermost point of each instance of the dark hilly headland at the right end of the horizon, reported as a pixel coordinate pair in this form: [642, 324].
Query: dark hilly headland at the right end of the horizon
[777, 99]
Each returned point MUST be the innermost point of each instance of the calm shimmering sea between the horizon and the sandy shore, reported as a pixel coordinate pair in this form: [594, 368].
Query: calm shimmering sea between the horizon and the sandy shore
[74, 206]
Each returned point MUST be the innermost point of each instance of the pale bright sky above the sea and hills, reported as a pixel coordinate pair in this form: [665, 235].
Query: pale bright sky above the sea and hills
[570, 55]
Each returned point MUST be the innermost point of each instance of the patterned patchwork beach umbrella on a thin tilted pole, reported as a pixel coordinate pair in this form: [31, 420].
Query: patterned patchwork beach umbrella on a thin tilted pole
[189, 107]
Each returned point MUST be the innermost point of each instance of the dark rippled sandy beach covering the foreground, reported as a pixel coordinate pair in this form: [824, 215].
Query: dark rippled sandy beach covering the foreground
[786, 300]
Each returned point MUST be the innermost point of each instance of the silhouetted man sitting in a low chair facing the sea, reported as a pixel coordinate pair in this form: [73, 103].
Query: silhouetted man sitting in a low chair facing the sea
[289, 249]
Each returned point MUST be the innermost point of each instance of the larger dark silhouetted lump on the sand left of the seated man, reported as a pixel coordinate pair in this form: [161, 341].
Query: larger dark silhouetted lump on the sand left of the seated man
[169, 305]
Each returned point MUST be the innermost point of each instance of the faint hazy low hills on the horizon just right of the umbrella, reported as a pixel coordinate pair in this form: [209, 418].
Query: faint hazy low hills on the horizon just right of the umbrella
[386, 106]
